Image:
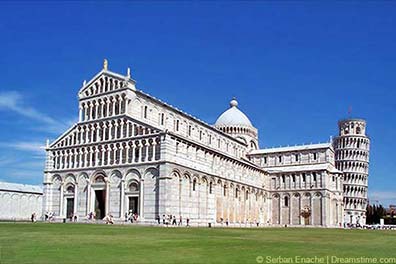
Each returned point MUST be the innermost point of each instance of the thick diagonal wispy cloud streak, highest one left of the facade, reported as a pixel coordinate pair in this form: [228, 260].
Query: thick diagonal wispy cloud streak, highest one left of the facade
[14, 101]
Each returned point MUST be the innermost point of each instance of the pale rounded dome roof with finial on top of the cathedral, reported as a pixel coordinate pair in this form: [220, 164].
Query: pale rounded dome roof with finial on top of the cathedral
[233, 117]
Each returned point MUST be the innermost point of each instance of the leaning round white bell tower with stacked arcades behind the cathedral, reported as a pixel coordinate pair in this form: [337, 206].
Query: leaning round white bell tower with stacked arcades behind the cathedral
[352, 151]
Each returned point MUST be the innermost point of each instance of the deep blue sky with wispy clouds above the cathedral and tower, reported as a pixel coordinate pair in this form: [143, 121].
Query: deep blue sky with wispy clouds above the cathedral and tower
[295, 67]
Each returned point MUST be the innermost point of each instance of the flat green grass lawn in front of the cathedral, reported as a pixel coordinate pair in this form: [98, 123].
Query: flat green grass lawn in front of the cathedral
[88, 243]
